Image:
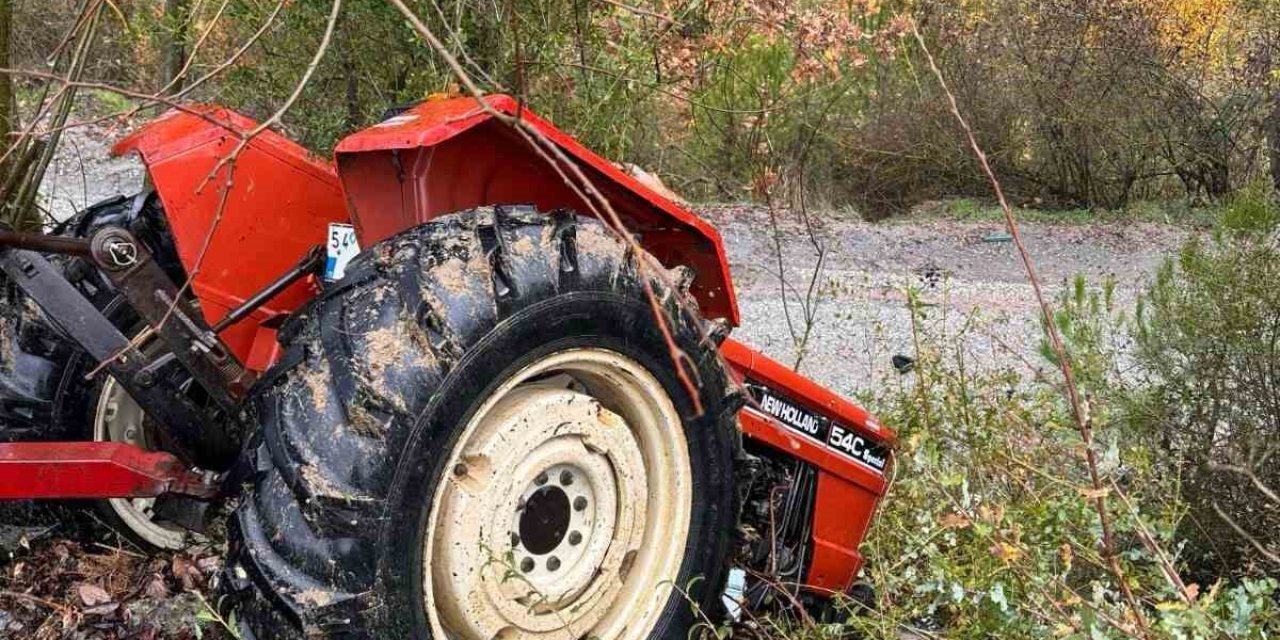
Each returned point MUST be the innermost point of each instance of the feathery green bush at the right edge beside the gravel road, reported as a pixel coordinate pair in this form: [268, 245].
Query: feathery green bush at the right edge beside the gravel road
[1209, 348]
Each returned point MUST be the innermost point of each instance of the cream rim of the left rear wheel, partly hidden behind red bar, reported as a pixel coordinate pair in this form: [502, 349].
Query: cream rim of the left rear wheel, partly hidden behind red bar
[120, 419]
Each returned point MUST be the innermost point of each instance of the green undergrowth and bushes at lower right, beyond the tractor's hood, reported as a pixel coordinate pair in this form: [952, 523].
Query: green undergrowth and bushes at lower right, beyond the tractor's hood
[990, 528]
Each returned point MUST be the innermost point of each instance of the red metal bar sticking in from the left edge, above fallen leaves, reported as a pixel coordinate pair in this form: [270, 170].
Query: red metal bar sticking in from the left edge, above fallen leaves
[95, 470]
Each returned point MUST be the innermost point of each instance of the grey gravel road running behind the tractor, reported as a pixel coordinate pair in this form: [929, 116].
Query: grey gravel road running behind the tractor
[861, 318]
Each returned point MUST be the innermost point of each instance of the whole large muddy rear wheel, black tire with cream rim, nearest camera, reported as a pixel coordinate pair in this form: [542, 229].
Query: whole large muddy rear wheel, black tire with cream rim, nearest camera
[481, 433]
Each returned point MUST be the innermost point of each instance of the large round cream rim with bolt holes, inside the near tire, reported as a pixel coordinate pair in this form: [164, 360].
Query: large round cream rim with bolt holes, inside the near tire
[565, 508]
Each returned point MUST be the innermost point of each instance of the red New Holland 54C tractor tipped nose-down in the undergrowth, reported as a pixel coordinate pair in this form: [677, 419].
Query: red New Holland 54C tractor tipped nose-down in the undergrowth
[505, 418]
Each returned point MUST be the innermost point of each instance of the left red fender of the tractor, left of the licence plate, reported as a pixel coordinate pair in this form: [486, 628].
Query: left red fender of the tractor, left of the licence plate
[239, 222]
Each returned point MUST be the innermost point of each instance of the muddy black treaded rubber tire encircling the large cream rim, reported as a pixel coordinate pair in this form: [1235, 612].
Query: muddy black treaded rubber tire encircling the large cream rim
[356, 431]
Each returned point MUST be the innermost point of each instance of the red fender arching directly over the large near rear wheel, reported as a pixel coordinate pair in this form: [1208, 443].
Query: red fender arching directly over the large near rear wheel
[456, 154]
